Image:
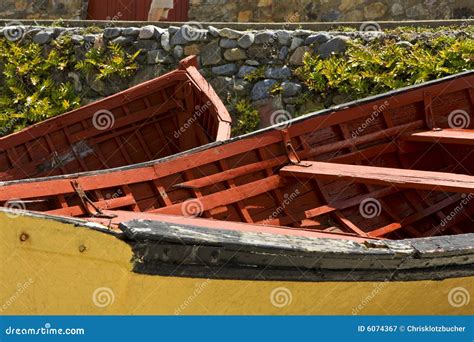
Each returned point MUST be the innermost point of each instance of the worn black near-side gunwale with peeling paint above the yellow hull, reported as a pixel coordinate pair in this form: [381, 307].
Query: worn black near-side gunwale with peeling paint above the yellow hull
[428, 258]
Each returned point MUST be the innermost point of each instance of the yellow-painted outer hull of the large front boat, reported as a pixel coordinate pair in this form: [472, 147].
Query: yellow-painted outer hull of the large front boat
[51, 273]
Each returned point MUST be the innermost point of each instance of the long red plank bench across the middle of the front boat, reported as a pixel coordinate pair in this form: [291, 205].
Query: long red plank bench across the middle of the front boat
[413, 179]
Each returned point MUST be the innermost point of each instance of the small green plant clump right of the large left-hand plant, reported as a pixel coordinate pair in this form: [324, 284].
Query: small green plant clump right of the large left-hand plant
[104, 63]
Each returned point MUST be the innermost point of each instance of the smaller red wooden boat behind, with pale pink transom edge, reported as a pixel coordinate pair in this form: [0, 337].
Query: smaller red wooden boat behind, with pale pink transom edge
[169, 114]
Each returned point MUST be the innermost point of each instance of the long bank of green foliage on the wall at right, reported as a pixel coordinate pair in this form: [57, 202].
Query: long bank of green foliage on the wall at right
[383, 65]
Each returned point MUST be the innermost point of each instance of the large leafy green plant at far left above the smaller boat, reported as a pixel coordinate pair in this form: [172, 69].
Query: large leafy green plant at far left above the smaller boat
[28, 93]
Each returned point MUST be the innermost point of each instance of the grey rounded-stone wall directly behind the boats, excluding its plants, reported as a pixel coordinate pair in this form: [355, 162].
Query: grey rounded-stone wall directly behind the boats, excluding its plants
[226, 56]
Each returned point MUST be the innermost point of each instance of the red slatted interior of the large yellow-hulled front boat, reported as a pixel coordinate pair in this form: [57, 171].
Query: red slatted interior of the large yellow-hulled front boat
[395, 166]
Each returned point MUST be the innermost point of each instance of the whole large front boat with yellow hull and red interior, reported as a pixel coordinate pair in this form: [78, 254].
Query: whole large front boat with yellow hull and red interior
[365, 208]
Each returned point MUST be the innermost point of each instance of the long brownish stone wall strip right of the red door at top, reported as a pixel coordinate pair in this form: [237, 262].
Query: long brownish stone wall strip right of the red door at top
[328, 10]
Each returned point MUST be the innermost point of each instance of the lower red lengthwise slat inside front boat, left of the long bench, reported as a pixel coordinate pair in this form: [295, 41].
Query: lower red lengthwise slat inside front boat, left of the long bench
[229, 196]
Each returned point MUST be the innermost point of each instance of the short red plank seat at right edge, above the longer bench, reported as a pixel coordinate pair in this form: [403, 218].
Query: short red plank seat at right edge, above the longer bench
[444, 136]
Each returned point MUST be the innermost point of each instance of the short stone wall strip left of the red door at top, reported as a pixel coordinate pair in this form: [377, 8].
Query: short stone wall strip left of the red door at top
[43, 9]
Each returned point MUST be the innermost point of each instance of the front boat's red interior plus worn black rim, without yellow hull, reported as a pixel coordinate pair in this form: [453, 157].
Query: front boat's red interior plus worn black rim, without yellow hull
[327, 192]
